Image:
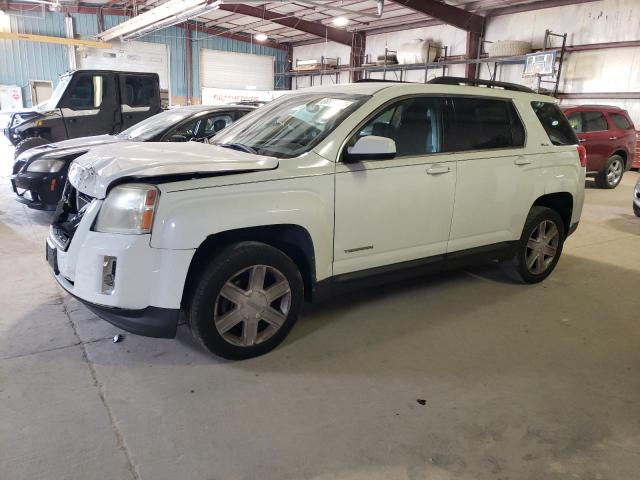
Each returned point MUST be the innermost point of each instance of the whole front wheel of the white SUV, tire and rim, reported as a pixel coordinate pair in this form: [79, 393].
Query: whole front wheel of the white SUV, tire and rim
[241, 322]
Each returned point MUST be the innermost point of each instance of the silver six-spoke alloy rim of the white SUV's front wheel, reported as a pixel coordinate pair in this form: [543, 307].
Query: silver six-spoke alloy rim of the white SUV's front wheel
[252, 305]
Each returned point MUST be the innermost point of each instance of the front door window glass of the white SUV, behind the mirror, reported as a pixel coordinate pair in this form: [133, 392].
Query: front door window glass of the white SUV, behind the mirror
[413, 124]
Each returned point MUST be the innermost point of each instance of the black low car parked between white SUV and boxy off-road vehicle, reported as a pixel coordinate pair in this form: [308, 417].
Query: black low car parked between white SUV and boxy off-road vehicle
[39, 174]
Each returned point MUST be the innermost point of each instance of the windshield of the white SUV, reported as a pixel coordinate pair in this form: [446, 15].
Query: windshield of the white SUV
[292, 125]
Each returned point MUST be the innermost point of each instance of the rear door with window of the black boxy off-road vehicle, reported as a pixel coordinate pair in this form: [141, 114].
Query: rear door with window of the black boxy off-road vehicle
[139, 97]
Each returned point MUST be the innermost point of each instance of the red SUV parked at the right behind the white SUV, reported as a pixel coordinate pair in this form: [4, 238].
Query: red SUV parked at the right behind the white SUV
[609, 136]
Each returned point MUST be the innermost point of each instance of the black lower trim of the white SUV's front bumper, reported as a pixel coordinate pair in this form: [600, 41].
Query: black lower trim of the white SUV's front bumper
[149, 322]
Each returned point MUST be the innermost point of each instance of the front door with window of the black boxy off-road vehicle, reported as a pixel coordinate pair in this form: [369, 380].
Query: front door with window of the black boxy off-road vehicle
[89, 105]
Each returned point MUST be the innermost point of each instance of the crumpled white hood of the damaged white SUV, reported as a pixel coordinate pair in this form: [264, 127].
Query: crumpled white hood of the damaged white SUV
[93, 172]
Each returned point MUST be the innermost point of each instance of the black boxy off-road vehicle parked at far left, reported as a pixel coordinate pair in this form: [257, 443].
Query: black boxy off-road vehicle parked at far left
[86, 102]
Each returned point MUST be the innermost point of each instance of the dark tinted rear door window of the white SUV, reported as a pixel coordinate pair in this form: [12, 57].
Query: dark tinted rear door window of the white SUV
[480, 123]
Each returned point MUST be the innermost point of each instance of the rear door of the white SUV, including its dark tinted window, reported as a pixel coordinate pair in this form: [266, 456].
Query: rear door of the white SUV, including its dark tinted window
[495, 174]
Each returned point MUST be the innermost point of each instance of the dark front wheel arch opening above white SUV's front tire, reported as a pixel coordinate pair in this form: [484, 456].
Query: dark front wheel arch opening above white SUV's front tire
[294, 240]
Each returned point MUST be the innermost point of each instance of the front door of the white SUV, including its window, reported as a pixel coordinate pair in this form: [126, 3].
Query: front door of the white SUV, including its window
[399, 210]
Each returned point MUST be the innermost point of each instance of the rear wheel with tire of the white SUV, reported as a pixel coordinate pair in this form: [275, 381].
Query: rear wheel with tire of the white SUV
[540, 270]
